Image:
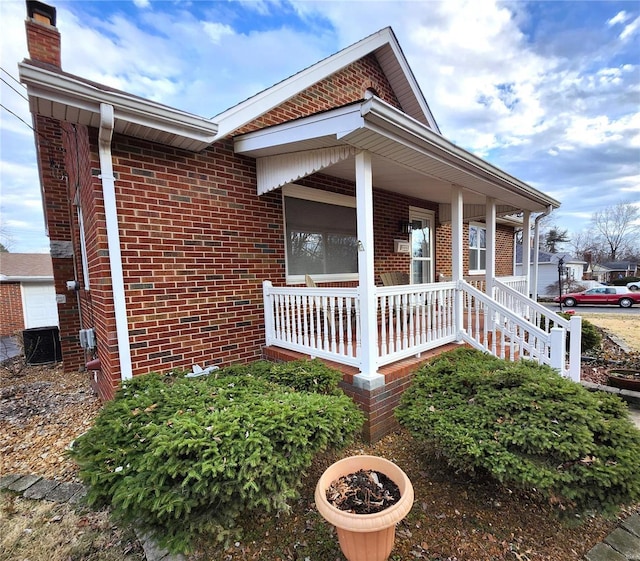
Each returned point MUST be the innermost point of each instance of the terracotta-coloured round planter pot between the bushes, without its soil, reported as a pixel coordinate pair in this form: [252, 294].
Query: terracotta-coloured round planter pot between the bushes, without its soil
[365, 537]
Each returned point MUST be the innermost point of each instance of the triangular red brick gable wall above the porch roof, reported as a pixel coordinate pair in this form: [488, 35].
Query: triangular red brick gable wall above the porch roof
[343, 87]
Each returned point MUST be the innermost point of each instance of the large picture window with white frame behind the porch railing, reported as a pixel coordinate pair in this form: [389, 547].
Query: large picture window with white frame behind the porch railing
[321, 235]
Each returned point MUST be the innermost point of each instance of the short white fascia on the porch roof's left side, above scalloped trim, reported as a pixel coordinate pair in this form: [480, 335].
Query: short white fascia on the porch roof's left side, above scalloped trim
[330, 124]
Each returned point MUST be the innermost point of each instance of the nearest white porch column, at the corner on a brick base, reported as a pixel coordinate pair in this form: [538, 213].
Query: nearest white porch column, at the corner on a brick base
[369, 377]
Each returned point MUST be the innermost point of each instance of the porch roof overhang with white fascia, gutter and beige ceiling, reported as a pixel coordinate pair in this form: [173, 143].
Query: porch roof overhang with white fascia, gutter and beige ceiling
[407, 157]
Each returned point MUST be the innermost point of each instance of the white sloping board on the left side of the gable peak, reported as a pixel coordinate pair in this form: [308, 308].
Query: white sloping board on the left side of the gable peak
[245, 112]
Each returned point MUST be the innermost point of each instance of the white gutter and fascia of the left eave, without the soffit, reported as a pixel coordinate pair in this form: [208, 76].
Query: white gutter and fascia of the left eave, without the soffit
[65, 89]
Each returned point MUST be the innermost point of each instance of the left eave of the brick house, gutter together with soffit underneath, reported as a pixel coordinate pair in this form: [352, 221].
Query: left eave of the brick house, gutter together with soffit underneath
[64, 96]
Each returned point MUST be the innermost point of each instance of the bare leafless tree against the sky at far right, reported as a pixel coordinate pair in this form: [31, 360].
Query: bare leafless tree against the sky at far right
[618, 228]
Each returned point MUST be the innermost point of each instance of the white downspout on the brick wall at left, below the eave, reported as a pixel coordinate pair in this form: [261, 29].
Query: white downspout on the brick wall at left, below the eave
[105, 134]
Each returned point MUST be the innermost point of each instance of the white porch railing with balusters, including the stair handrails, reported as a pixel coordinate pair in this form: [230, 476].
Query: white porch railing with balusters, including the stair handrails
[411, 319]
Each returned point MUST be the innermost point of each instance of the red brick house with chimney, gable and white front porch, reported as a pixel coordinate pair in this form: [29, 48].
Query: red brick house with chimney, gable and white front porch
[192, 240]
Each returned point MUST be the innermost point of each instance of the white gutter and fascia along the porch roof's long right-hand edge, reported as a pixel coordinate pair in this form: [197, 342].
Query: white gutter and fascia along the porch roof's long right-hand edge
[412, 132]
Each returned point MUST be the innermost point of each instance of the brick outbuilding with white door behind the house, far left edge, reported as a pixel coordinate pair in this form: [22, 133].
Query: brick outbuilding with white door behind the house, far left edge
[27, 293]
